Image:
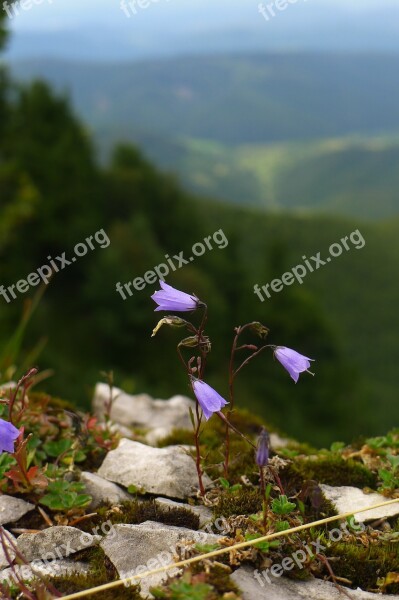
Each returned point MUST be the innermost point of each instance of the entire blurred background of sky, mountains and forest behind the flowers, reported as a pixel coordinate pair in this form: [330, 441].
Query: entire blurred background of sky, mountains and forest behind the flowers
[163, 122]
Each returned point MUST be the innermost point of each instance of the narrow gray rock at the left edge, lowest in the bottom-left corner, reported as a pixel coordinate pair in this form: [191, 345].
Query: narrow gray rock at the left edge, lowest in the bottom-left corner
[54, 569]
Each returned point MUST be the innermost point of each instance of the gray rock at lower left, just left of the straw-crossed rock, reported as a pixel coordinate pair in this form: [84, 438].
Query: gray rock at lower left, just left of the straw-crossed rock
[55, 542]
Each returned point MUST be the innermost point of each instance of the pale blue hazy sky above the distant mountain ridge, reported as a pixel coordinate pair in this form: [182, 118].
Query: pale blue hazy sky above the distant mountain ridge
[101, 30]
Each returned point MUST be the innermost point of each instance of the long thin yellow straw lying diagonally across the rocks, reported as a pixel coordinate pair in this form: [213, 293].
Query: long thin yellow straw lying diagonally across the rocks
[194, 559]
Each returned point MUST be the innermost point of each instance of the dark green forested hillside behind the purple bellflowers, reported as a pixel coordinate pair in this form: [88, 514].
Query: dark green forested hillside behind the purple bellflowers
[54, 196]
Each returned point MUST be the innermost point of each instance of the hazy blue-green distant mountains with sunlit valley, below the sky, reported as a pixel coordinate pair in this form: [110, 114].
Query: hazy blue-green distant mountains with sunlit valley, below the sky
[306, 131]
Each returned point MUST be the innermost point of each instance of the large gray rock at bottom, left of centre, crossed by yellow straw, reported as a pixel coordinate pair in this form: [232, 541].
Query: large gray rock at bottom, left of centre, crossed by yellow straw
[152, 545]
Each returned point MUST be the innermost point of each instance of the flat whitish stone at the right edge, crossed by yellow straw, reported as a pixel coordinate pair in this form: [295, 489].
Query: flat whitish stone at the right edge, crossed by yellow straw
[346, 499]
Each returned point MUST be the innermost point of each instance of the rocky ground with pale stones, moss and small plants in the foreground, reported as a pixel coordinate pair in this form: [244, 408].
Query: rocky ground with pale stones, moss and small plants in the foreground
[137, 508]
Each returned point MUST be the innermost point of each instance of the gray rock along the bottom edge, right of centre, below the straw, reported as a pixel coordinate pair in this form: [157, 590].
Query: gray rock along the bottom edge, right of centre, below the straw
[289, 589]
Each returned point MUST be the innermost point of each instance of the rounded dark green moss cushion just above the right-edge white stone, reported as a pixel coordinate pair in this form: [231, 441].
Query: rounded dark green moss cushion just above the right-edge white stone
[332, 470]
